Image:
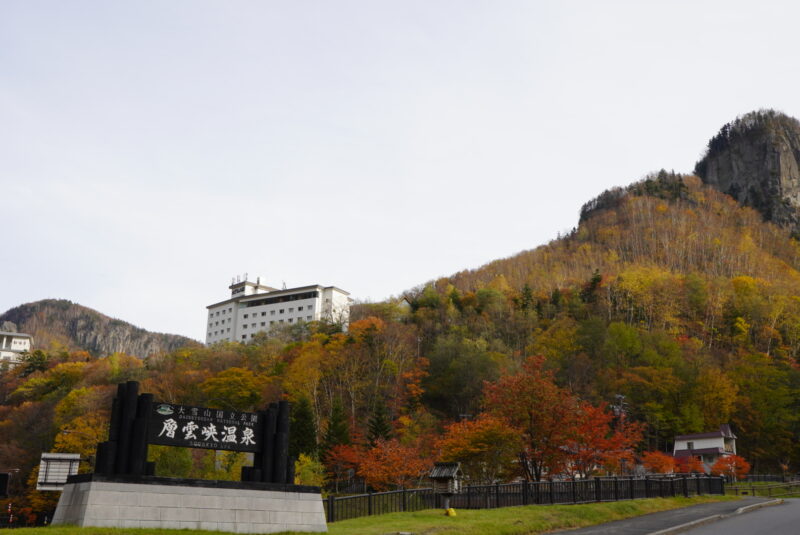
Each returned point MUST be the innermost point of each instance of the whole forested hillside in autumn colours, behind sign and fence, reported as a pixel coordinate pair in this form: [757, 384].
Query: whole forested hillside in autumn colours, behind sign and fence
[670, 309]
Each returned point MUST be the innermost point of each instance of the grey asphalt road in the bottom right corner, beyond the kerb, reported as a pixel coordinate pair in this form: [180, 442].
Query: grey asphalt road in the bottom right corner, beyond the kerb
[778, 519]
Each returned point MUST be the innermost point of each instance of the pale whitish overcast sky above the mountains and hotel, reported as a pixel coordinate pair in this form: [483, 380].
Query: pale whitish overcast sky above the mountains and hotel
[151, 150]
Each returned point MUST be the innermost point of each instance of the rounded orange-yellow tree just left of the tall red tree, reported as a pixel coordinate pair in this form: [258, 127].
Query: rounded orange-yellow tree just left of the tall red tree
[485, 447]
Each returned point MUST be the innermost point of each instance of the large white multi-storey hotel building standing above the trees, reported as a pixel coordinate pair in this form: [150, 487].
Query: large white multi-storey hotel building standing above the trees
[254, 307]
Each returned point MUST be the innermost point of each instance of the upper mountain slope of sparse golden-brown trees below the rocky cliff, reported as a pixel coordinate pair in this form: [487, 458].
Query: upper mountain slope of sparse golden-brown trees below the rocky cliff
[671, 221]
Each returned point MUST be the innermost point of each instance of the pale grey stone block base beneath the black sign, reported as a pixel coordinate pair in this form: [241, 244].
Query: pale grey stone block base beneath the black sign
[159, 502]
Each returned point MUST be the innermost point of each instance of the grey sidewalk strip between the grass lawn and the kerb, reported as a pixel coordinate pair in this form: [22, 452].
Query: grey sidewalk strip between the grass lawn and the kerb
[643, 525]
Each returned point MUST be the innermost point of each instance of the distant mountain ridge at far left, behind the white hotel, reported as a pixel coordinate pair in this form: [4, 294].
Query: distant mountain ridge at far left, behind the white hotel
[58, 321]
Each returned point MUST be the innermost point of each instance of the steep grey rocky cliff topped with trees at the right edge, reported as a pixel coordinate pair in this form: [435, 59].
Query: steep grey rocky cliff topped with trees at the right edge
[756, 160]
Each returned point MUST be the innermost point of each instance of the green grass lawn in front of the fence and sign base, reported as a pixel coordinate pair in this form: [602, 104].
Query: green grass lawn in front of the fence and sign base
[505, 521]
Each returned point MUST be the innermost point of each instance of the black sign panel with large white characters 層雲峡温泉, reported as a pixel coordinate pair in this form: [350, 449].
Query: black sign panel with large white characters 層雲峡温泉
[200, 427]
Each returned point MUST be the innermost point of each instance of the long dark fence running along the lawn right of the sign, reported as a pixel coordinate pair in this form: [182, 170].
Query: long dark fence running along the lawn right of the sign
[601, 489]
